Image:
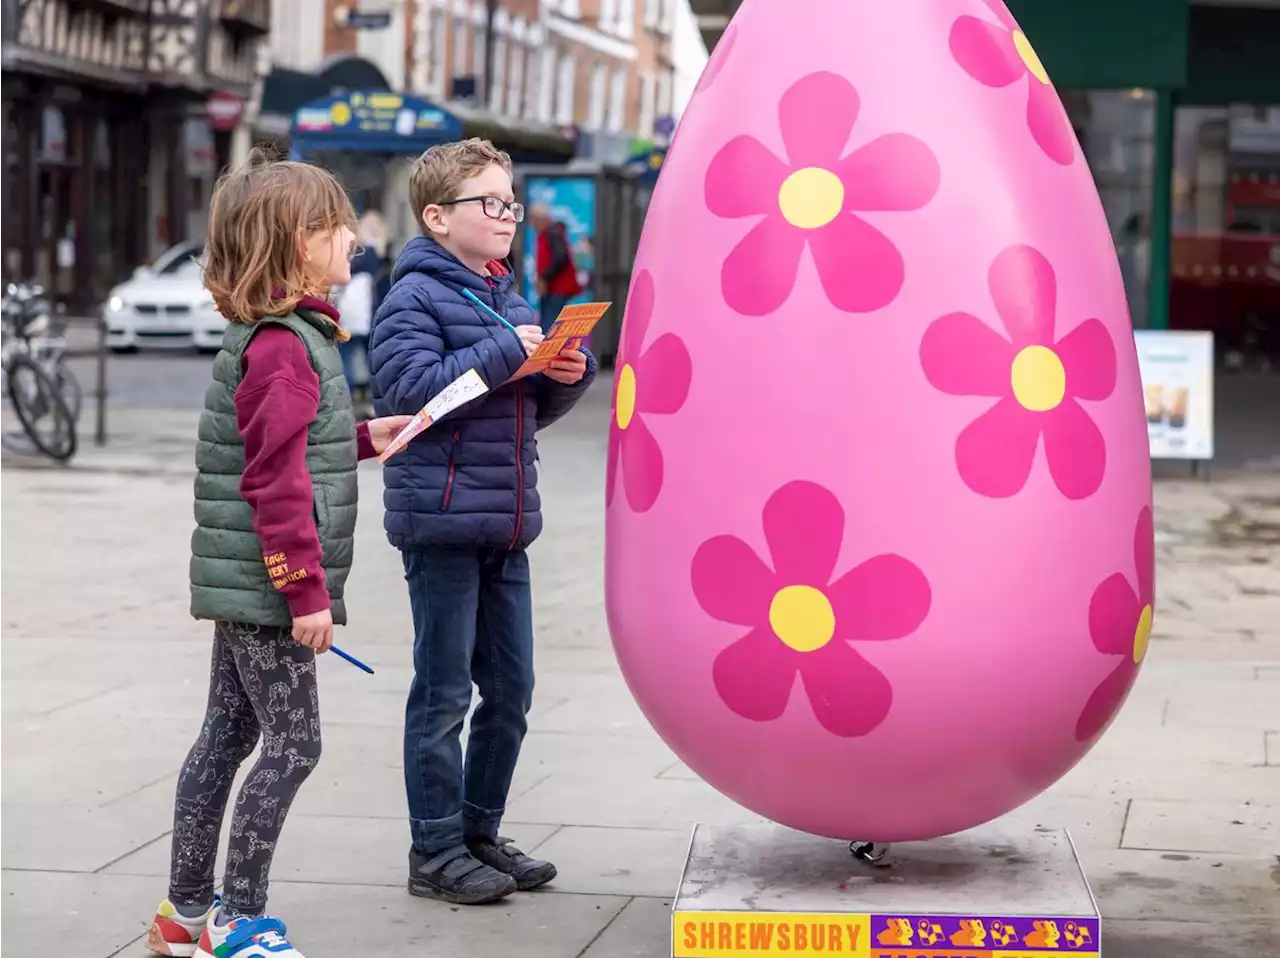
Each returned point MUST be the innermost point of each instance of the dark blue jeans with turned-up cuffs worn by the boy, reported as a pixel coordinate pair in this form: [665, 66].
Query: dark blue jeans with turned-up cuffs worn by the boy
[473, 623]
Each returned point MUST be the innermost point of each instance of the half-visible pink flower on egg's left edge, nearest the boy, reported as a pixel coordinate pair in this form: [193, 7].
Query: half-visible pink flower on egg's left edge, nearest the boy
[648, 382]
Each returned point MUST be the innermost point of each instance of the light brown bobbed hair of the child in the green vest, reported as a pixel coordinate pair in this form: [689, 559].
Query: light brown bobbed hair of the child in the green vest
[260, 216]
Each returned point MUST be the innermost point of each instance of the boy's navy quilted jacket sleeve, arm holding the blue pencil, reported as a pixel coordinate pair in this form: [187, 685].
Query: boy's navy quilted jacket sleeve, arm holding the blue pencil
[409, 359]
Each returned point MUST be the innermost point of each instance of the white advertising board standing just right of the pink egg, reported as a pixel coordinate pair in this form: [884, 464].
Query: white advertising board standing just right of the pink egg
[1178, 389]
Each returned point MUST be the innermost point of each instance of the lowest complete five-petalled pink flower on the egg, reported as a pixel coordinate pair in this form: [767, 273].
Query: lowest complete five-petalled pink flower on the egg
[802, 622]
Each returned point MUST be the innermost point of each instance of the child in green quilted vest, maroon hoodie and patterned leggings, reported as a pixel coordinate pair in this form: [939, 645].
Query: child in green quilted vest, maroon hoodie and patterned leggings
[276, 512]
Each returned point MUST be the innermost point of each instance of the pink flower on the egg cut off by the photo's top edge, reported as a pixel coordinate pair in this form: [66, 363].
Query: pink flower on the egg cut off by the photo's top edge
[999, 56]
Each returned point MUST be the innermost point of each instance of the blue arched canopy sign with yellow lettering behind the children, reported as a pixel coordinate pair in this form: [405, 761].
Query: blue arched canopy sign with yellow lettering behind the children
[373, 122]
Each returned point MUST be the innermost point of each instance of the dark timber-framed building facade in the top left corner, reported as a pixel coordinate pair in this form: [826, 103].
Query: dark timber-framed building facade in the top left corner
[115, 116]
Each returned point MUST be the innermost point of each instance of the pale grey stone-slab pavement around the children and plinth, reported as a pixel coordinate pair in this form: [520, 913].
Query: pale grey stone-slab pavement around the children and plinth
[1177, 813]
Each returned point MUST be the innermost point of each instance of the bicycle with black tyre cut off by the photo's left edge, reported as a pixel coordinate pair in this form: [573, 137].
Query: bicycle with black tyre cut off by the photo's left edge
[34, 394]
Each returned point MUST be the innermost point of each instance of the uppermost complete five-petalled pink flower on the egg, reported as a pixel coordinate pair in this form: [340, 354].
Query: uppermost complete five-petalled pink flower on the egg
[811, 202]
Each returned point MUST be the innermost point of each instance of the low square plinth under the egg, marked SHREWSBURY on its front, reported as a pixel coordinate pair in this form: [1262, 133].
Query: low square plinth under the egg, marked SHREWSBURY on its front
[765, 891]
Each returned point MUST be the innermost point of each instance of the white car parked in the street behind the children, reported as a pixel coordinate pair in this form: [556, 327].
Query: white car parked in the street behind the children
[166, 307]
